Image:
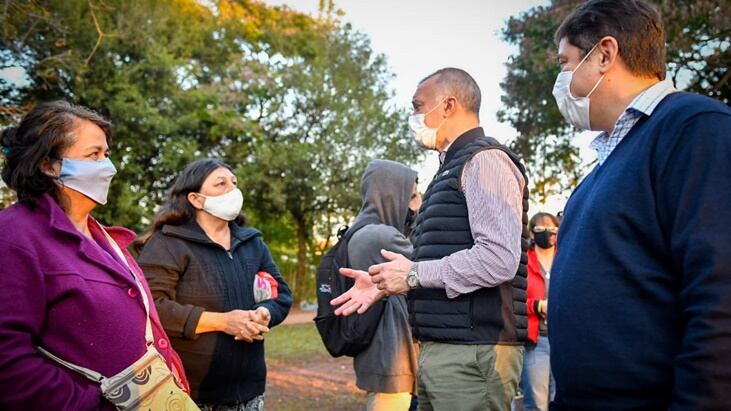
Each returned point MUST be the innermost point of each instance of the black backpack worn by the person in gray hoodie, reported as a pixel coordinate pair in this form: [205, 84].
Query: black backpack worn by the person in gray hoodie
[342, 335]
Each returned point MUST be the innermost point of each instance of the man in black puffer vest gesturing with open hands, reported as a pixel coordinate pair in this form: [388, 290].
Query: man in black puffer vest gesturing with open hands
[466, 283]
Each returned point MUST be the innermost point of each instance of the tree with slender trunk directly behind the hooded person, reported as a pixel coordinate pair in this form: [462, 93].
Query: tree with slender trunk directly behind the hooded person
[321, 119]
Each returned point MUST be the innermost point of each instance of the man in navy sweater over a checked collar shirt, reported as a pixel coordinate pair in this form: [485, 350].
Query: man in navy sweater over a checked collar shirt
[640, 313]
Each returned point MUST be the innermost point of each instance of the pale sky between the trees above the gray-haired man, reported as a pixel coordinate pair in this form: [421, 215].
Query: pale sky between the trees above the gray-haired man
[420, 37]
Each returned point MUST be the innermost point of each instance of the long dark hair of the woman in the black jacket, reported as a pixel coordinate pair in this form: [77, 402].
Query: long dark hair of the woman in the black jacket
[177, 210]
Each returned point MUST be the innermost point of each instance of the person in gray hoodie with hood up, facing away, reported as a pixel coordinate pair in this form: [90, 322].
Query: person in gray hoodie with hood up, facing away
[387, 368]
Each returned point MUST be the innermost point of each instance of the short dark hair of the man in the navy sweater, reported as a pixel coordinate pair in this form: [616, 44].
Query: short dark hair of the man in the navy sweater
[635, 24]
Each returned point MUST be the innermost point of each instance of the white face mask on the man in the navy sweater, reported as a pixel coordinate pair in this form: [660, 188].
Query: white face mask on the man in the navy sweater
[574, 109]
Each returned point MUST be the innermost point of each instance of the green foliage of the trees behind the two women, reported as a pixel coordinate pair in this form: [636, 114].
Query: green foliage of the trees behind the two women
[296, 104]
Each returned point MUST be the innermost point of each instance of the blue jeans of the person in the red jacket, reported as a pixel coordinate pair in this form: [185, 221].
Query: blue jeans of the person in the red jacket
[536, 381]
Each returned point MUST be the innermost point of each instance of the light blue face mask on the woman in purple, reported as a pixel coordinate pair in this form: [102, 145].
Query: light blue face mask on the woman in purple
[90, 178]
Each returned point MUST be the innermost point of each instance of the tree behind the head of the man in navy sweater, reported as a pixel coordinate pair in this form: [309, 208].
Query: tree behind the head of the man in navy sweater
[698, 41]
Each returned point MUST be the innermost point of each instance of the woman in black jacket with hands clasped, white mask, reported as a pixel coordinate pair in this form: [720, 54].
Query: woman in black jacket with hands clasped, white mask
[215, 286]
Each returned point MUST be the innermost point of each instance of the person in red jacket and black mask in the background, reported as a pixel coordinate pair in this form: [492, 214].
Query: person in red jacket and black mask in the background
[536, 381]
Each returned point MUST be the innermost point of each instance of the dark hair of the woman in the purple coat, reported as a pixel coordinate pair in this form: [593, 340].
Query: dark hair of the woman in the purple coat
[43, 135]
